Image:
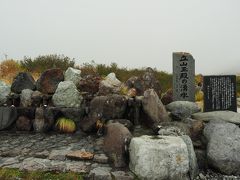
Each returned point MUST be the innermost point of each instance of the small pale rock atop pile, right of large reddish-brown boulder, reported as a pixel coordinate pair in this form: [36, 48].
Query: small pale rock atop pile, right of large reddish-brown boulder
[73, 75]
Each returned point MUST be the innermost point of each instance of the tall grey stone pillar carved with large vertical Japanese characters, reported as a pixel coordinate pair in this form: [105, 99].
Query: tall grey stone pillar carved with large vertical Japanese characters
[183, 77]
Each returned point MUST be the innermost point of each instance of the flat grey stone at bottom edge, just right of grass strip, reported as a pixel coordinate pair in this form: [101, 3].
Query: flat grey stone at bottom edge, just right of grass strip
[100, 173]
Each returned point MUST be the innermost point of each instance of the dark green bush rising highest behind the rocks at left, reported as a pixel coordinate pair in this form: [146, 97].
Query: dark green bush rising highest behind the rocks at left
[42, 63]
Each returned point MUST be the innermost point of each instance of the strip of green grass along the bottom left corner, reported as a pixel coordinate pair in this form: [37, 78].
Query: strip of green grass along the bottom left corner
[12, 174]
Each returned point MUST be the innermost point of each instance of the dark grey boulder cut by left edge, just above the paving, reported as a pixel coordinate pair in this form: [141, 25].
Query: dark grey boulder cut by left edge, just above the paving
[7, 116]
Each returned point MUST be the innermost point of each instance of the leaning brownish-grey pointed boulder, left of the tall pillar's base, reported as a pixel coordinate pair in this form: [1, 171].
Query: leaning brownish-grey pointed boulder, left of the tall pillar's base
[154, 109]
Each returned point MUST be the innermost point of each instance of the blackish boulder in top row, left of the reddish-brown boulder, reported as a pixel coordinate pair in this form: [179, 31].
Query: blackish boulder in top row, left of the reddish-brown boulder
[22, 81]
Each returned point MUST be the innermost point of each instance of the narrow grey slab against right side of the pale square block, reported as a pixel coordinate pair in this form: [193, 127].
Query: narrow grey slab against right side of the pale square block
[193, 164]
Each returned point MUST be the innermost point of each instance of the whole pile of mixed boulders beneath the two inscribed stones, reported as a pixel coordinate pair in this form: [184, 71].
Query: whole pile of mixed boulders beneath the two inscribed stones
[140, 129]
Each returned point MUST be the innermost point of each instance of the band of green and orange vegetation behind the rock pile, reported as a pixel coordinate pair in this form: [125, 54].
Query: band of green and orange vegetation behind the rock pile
[9, 69]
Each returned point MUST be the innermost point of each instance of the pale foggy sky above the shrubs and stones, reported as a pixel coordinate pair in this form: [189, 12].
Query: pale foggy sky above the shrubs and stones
[132, 33]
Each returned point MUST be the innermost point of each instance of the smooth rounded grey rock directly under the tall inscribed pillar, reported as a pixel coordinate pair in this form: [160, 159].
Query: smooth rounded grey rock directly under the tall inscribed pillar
[182, 109]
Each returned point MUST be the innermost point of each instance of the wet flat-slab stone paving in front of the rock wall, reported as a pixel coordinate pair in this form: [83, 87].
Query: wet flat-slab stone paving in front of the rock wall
[47, 152]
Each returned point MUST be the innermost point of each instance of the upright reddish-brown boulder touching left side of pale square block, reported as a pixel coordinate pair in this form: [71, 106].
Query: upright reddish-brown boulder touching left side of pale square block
[117, 135]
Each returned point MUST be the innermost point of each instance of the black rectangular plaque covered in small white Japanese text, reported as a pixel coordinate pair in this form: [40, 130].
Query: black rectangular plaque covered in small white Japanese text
[220, 93]
